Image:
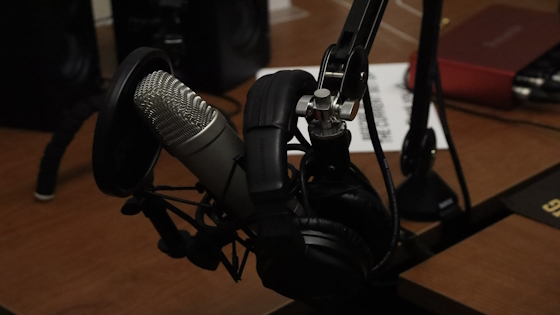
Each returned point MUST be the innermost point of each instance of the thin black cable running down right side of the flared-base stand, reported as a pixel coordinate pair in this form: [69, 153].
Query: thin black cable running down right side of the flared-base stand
[452, 149]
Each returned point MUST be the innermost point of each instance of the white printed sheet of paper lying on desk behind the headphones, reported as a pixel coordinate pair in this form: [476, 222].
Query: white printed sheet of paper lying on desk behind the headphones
[392, 105]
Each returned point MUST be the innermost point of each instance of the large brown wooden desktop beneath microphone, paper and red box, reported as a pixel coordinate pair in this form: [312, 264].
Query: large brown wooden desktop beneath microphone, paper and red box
[78, 254]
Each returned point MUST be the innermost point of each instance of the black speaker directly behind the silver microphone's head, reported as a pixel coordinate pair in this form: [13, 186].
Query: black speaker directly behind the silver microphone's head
[214, 45]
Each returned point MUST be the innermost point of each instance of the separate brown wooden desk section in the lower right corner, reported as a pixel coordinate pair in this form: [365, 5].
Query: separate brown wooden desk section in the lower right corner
[508, 268]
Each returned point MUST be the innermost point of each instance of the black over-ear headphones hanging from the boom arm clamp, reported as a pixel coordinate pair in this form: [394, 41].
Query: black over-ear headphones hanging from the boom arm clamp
[317, 240]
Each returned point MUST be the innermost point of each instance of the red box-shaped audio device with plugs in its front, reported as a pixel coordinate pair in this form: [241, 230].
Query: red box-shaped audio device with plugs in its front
[479, 58]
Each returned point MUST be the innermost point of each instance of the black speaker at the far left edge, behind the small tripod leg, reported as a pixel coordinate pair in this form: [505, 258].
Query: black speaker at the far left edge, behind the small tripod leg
[48, 60]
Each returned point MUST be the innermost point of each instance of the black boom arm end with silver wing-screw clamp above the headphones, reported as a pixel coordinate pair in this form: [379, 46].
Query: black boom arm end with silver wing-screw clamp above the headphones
[341, 85]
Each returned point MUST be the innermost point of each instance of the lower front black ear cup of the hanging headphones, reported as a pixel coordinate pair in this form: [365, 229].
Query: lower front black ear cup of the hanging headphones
[335, 263]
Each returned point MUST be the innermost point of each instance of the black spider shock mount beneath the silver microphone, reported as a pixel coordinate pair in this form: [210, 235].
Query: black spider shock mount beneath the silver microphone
[205, 249]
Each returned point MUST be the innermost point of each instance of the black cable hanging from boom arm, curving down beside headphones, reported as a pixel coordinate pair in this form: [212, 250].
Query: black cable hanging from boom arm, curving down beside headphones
[389, 185]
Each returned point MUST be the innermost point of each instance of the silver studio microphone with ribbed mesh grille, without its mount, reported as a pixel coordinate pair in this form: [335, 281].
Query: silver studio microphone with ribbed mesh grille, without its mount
[197, 135]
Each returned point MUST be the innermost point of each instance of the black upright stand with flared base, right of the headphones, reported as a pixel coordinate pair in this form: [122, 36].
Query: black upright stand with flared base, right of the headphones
[424, 195]
